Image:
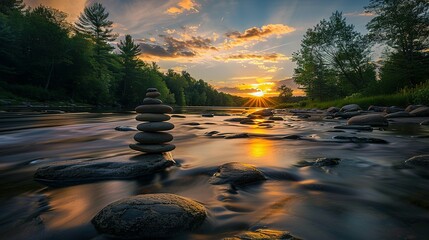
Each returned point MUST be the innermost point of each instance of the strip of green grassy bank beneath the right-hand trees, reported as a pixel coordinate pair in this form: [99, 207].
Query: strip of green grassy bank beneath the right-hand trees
[416, 95]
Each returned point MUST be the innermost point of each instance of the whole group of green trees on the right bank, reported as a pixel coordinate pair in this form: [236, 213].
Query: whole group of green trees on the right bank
[335, 60]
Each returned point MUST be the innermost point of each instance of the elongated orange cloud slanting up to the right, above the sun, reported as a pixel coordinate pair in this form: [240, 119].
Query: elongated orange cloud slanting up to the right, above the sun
[236, 38]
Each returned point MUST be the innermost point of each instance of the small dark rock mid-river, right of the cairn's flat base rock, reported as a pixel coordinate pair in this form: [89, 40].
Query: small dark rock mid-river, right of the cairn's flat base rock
[237, 174]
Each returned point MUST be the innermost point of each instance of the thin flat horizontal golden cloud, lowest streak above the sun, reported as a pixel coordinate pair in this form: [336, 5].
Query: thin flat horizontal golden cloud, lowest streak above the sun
[254, 58]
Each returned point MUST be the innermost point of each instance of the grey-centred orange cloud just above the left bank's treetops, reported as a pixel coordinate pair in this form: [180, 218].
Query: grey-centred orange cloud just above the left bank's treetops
[174, 47]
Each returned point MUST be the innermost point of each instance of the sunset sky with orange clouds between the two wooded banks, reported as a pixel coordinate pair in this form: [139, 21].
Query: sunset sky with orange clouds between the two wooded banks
[240, 47]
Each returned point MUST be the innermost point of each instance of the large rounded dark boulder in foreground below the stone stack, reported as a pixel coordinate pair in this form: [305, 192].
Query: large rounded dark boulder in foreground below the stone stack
[151, 216]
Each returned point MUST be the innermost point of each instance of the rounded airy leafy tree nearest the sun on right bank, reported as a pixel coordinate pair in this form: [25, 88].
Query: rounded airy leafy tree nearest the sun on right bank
[333, 56]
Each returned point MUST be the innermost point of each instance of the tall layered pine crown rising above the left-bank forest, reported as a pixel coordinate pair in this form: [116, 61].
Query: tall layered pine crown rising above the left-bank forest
[94, 22]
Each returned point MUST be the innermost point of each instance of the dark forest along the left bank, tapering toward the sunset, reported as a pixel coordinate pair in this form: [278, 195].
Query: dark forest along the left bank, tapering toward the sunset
[46, 58]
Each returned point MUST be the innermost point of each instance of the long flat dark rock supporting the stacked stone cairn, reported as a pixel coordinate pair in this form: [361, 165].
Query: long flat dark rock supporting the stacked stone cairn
[69, 172]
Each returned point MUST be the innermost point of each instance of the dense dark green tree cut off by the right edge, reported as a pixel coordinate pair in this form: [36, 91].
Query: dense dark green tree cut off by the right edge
[403, 25]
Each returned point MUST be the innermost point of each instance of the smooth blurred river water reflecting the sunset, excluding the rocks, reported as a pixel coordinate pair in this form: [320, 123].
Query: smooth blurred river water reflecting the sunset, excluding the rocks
[364, 197]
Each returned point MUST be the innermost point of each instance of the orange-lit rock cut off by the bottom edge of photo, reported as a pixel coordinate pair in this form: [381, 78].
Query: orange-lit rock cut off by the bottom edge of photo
[263, 234]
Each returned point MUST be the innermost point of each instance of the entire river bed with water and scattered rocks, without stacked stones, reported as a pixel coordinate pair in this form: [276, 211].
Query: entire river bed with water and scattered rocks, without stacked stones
[292, 174]
